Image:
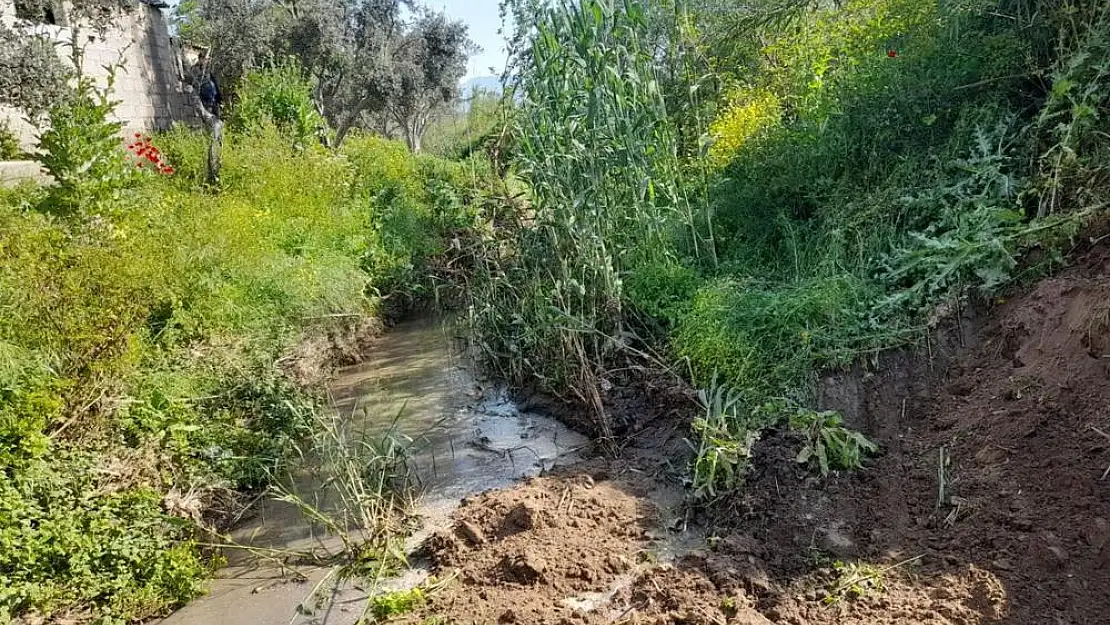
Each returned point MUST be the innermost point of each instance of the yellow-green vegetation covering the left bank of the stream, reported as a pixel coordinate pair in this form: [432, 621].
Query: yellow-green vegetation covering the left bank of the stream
[149, 364]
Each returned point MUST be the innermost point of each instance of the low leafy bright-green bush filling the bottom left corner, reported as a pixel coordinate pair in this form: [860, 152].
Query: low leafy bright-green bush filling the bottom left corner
[72, 540]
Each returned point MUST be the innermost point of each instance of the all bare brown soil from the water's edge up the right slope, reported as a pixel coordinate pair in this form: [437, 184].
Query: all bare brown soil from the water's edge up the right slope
[1022, 536]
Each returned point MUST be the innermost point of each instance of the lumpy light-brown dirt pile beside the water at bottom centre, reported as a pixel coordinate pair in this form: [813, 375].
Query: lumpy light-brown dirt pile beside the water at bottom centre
[522, 556]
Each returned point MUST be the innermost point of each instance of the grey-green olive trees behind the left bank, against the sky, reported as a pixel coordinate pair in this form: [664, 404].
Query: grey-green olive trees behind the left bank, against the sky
[362, 56]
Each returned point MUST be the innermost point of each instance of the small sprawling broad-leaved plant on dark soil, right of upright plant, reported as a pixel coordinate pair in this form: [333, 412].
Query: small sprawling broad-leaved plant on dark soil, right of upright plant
[829, 443]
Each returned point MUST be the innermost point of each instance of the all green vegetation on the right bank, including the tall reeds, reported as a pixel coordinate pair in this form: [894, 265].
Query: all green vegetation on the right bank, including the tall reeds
[766, 191]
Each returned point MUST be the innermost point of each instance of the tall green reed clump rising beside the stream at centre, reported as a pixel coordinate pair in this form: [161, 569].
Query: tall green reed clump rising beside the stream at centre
[601, 164]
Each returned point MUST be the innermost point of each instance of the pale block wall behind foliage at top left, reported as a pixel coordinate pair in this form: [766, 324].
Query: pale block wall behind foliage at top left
[148, 85]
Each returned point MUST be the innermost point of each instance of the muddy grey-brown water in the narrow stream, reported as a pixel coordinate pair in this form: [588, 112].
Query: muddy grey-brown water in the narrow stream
[465, 435]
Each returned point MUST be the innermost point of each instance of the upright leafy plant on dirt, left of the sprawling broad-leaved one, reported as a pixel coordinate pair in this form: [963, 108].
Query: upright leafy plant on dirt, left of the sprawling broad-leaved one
[725, 436]
